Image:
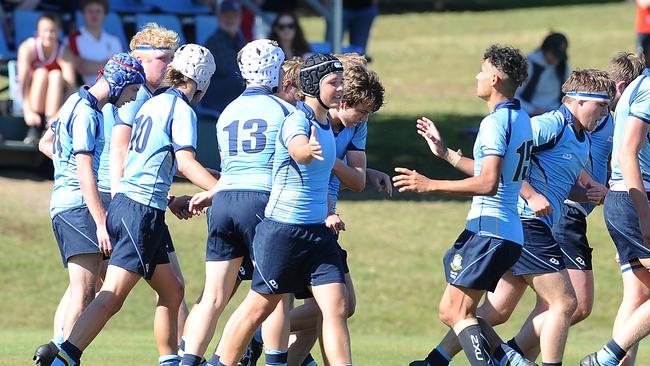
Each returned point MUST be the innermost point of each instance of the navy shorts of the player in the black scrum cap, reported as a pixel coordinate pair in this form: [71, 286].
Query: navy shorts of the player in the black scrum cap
[290, 257]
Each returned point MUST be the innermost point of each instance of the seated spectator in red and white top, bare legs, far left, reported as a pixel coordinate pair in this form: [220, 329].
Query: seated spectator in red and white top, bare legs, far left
[42, 75]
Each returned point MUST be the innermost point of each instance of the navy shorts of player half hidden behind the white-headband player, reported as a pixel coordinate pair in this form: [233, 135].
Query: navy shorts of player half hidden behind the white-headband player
[571, 233]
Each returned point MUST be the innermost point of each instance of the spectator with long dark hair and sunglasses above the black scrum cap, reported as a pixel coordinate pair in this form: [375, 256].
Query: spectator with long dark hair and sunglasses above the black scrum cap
[287, 32]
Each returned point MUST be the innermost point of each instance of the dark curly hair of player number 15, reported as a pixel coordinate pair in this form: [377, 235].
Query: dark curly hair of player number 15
[509, 61]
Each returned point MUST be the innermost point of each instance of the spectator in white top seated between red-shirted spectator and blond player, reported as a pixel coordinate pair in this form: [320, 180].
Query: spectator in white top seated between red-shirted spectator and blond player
[91, 46]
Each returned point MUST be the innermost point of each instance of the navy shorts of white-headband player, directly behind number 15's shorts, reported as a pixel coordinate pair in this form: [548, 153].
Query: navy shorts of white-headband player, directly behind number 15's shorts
[540, 253]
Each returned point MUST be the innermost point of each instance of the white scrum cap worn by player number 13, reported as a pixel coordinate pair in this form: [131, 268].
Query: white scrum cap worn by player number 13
[260, 62]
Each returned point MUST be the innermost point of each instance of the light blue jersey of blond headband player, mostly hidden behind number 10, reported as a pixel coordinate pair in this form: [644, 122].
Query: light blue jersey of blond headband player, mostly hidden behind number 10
[124, 115]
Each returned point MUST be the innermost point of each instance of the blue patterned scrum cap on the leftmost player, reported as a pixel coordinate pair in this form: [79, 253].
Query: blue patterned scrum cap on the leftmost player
[121, 71]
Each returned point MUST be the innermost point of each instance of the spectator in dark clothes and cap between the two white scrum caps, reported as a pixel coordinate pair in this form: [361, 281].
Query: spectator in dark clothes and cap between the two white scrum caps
[226, 83]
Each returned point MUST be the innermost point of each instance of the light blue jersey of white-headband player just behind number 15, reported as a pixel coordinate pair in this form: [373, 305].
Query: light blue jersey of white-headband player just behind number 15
[560, 153]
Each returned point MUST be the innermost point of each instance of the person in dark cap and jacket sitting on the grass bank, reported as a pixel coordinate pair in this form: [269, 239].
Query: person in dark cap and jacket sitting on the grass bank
[547, 70]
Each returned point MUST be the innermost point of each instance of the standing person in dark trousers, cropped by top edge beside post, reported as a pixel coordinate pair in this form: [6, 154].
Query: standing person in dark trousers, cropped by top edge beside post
[358, 16]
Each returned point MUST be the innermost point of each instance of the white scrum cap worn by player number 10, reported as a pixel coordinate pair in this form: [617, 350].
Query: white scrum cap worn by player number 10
[197, 63]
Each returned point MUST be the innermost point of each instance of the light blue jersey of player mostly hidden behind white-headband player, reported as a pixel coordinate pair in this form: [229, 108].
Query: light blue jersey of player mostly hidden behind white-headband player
[600, 148]
